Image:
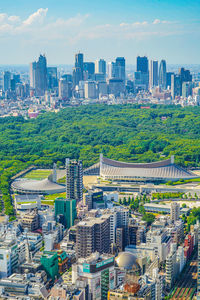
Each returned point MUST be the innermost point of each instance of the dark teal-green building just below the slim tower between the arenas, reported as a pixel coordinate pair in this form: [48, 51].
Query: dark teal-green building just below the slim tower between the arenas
[65, 211]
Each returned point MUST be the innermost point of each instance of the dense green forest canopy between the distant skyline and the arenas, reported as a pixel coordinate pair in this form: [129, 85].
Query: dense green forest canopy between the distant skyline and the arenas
[122, 132]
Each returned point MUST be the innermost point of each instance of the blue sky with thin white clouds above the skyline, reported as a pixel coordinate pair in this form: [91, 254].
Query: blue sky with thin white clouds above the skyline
[160, 29]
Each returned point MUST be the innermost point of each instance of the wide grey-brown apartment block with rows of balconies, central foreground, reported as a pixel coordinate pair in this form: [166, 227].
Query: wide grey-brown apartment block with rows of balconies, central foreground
[93, 235]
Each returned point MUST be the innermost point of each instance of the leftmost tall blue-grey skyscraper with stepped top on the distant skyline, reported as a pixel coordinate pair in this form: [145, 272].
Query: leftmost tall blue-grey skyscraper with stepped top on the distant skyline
[38, 76]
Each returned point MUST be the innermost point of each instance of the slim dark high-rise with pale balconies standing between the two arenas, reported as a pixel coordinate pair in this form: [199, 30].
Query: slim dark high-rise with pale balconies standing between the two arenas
[74, 180]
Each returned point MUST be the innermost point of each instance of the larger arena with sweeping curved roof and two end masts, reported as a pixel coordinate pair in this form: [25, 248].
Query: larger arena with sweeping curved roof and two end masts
[165, 170]
